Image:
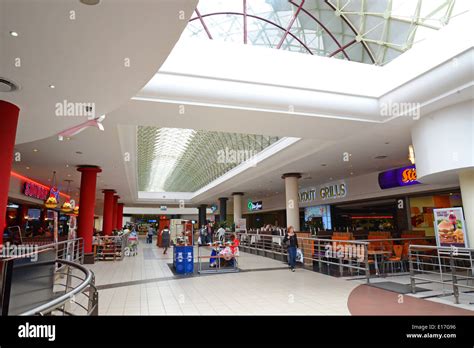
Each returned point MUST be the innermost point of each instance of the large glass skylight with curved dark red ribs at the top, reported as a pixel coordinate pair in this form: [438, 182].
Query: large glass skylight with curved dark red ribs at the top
[368, 31]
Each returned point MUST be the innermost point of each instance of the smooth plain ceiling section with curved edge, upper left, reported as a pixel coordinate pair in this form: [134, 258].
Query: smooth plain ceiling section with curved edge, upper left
[97, 55]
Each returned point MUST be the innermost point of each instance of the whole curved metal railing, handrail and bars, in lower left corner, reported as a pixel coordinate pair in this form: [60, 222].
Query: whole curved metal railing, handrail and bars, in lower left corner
[68, 303]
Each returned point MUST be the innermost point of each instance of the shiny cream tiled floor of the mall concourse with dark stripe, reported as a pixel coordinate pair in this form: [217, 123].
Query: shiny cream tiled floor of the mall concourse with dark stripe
[145, 285]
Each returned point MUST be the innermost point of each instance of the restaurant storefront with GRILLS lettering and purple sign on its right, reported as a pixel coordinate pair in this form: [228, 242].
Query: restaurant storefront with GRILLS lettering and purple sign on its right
[391, 201]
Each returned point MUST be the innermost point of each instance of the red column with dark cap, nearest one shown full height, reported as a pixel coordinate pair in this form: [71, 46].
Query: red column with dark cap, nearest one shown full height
[87, 207]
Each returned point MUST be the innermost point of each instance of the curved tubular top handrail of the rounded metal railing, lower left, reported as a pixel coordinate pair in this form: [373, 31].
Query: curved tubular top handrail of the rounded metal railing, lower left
[63, 299]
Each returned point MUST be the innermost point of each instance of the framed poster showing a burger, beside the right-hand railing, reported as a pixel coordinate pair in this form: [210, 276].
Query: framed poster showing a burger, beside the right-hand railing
[450, 227]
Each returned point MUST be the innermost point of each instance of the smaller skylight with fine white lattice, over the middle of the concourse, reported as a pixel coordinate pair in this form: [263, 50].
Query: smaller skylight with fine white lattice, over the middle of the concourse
[185, 160]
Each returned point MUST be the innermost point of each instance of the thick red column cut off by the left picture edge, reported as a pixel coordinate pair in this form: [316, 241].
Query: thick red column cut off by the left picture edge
[8, 122]
